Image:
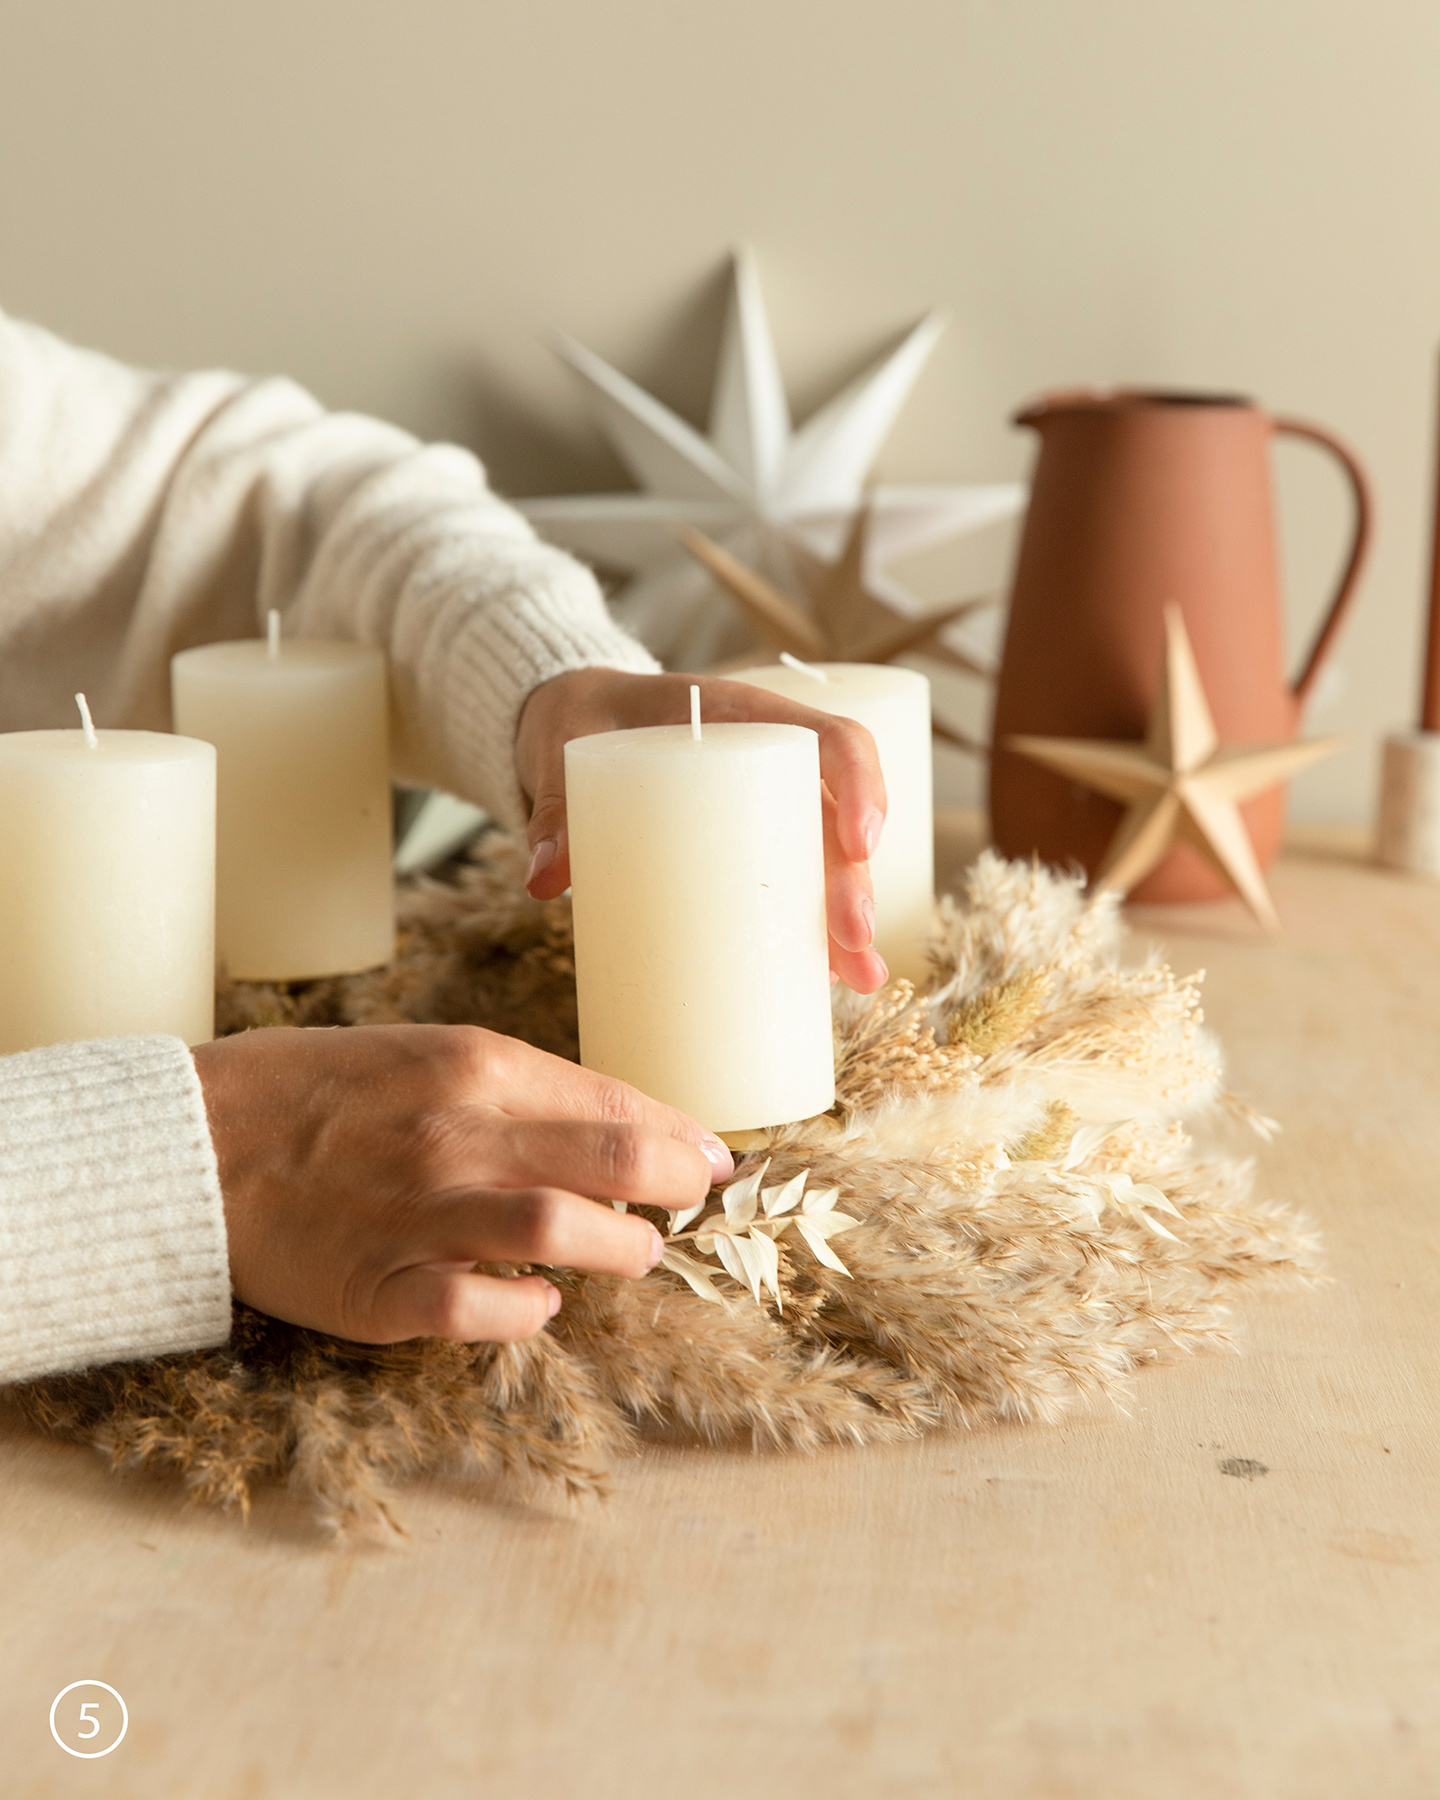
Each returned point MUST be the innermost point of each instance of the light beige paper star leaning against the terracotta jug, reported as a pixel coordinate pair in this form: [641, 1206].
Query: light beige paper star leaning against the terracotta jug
[1180, 786]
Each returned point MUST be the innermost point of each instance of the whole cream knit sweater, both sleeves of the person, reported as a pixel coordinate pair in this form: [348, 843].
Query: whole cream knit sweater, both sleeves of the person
[141, 514]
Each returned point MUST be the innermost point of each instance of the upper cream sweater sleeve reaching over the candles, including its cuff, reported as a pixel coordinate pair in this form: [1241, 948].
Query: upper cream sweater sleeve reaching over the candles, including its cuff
[141, 514]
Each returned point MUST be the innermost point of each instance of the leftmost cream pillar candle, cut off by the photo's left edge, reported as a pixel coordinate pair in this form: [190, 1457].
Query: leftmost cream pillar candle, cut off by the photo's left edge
[107, 888]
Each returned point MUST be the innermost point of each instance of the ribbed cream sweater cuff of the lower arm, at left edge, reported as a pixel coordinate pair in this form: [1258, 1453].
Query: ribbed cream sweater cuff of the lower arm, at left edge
[112, 1230]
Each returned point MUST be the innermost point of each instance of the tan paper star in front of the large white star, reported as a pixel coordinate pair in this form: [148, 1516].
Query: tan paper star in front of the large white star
[847, 620]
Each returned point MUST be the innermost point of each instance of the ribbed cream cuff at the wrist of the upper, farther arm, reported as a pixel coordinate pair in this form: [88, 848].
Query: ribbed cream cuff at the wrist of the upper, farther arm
[505, 652]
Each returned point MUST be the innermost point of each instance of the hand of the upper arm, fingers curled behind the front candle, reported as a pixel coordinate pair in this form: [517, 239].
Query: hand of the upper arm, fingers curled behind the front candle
[854, 793]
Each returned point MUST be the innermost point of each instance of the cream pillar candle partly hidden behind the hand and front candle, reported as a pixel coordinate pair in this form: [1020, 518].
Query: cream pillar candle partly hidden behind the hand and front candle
[895, 708]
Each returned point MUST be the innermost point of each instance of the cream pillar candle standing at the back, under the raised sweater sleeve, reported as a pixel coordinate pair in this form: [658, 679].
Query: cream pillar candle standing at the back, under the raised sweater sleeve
[305, 845]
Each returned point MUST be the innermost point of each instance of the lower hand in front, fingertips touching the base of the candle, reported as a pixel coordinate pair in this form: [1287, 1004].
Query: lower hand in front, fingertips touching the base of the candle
[366, 1171]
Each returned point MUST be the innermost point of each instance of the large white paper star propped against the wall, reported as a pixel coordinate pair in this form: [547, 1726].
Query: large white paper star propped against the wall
[753, 483]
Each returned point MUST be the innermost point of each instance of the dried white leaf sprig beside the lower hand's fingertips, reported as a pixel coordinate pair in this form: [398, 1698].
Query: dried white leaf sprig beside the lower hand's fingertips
[744, 1236]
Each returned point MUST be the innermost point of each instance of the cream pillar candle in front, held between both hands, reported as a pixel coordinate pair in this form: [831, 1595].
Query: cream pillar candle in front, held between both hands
[697, 874]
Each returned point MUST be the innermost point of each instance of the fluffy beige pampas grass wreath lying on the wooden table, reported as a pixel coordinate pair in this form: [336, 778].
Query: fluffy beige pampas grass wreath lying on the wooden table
[1034, 1223]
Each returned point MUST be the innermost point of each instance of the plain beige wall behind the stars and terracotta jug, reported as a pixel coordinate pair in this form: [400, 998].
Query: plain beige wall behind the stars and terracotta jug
[395, 202]
